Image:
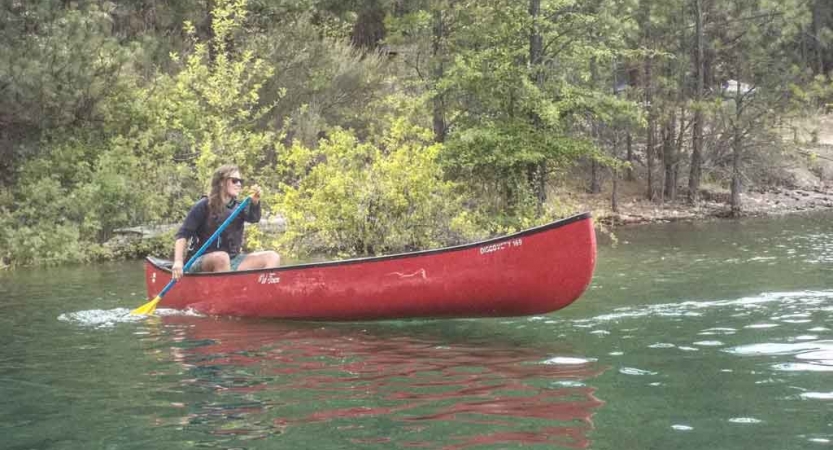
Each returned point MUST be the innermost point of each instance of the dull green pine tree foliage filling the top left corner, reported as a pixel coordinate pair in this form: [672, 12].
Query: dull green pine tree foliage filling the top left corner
[57, 66]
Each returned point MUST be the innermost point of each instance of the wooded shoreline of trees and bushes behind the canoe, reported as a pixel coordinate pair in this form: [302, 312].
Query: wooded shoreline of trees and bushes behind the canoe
[380, 126]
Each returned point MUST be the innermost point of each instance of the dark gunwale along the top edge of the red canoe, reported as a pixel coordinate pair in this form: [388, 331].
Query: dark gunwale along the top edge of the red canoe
[158, 263]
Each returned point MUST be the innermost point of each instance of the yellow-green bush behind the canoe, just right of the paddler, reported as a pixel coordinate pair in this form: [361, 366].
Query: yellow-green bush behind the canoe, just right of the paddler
[353, 199]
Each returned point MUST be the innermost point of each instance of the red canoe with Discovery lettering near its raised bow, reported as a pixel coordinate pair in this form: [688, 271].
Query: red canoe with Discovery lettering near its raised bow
[535, 271]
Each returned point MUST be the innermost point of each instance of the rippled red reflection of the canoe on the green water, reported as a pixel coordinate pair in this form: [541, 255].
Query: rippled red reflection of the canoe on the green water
[401, 384]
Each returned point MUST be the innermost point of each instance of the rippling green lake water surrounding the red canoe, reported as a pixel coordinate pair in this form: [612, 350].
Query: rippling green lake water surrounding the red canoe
[714, 335]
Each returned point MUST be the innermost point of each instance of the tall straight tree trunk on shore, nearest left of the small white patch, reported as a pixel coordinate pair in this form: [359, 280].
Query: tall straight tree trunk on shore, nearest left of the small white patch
[695, 172]
